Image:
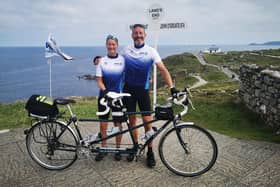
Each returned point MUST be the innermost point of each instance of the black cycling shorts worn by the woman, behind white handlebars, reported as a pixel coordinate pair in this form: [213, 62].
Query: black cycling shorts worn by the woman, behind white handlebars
[117, 113]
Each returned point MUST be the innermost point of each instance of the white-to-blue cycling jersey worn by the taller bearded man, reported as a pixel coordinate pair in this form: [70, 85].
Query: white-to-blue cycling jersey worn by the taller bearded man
[138, 65]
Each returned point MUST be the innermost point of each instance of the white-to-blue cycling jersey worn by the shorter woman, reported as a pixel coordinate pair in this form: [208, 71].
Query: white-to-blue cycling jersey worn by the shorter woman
[111, 70]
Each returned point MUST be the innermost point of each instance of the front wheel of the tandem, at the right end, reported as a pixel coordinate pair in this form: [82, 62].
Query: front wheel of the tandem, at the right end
[188, 150]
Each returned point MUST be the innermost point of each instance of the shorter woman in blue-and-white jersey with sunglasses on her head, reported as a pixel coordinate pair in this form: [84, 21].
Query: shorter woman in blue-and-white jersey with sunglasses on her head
[109, 76]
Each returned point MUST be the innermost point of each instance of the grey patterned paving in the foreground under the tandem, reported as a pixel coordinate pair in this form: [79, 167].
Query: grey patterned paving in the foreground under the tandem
[239, 163]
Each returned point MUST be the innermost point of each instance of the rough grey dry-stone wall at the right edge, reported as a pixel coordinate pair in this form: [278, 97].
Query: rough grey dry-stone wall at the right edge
[260, 91]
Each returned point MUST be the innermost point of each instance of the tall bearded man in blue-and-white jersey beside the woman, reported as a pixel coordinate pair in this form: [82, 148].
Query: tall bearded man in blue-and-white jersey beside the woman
[139, 60]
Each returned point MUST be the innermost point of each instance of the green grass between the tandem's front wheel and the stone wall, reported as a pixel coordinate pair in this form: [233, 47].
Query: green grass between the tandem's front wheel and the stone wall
[226, 115]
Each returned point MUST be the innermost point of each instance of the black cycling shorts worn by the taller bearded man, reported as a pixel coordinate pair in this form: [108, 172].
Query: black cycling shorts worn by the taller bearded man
[140, 96]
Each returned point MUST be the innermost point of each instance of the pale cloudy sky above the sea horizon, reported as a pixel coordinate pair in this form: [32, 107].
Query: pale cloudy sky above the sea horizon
[88, 22]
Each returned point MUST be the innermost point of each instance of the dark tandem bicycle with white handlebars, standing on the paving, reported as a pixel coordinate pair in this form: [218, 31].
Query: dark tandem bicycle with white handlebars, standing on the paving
[184, 148]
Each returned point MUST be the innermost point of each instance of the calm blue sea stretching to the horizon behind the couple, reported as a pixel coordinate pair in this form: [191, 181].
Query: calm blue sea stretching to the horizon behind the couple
[24, 70]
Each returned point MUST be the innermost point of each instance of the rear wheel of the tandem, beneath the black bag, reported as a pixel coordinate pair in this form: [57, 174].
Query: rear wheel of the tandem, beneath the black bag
[52, 145]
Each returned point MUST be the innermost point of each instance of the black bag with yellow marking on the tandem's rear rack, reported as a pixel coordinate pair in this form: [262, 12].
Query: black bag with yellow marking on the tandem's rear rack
[41, 106]
